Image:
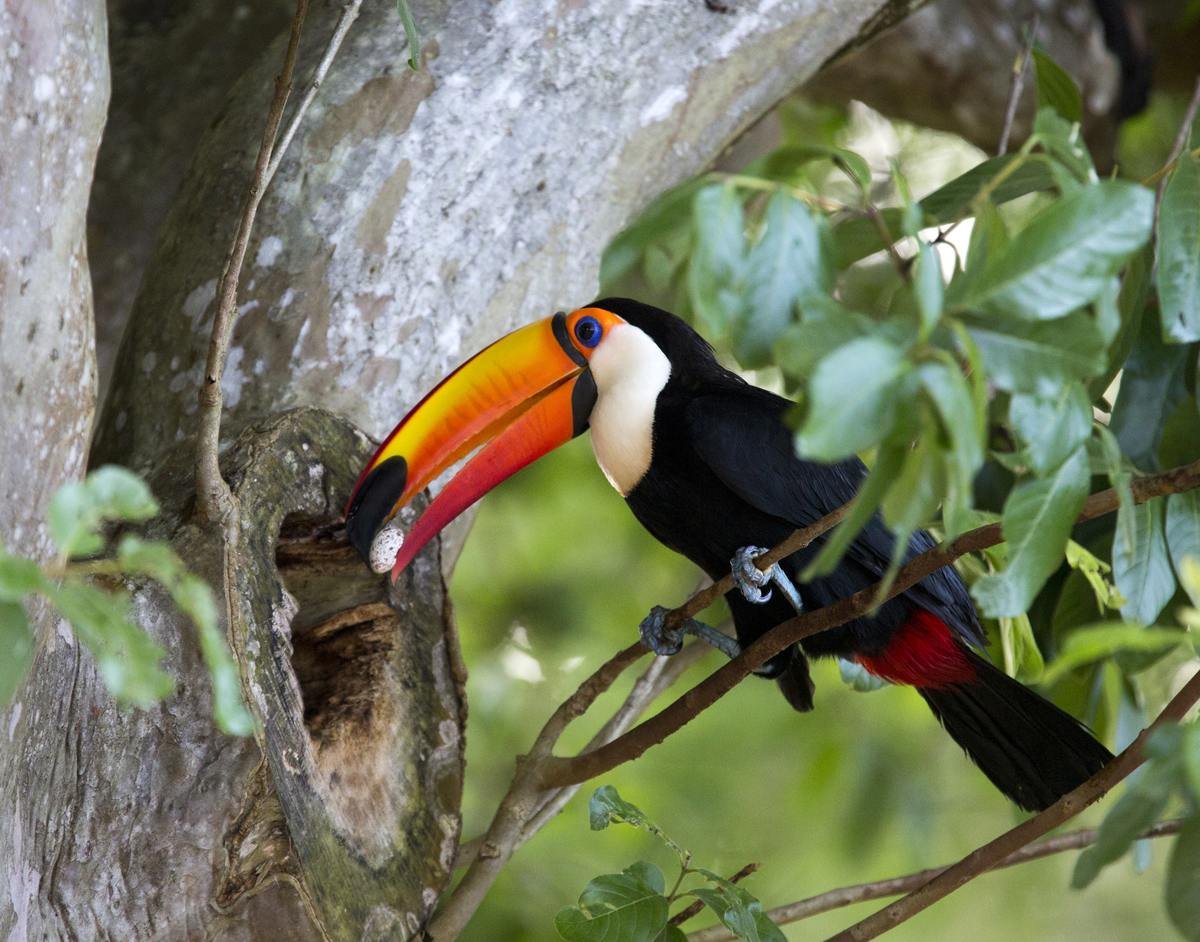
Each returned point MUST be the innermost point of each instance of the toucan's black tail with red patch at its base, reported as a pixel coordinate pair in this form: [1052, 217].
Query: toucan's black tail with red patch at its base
[1030, 749]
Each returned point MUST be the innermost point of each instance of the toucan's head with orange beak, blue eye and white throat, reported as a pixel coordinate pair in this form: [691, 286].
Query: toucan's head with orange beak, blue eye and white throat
[515, 401]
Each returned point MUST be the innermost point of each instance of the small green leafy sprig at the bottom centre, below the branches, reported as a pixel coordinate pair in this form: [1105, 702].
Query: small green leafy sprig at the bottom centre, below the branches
[634, 905]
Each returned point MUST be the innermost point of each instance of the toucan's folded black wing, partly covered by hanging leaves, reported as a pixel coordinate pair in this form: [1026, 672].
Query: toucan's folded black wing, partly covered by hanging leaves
[742, 437]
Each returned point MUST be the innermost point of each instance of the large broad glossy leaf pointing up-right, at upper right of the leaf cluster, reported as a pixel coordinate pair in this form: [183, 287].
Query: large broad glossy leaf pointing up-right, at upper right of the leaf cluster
[1066, 256]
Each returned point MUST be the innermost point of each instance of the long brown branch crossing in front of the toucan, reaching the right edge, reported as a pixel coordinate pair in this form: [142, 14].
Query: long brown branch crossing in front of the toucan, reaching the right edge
[559, 772]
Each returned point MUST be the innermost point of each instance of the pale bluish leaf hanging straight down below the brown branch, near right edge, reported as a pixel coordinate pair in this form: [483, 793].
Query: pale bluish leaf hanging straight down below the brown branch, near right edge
[1143, 569]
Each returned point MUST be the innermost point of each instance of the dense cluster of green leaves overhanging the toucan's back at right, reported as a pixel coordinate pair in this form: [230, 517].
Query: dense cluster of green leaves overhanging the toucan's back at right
[976, 373]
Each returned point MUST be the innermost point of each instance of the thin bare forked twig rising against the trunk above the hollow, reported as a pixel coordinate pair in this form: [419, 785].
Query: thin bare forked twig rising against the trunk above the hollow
[217, 501]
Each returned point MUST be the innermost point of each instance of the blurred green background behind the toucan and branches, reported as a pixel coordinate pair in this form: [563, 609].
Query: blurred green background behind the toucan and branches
[556, 577]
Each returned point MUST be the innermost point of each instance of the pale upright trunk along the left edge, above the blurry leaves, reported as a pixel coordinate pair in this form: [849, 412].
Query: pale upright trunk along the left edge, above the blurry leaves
[53, 95]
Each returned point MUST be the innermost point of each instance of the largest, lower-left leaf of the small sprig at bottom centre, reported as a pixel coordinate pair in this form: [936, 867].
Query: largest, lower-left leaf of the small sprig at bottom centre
[617, 908]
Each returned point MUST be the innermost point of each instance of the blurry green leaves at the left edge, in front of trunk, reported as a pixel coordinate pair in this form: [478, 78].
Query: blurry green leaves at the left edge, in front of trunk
[85, 586]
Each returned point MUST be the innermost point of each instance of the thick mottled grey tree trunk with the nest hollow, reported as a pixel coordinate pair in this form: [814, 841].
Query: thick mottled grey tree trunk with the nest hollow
[416, 217]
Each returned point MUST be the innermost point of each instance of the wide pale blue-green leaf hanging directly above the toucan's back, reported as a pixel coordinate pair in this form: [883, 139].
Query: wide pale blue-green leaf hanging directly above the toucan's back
[793, 260]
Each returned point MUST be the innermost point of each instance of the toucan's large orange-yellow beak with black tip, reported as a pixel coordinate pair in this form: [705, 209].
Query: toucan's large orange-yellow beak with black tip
[521, 398]
